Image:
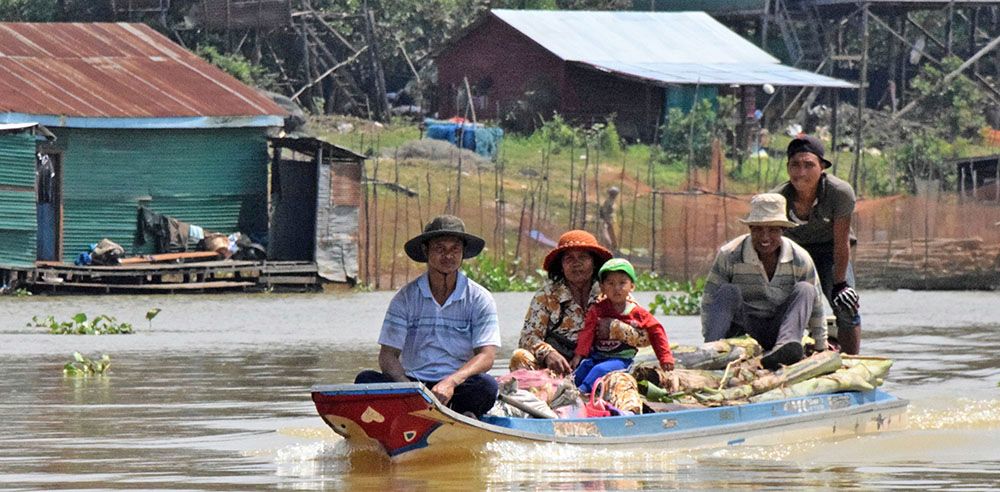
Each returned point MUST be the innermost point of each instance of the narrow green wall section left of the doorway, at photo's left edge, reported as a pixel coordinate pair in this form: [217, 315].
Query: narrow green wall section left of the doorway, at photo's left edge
[17, 199]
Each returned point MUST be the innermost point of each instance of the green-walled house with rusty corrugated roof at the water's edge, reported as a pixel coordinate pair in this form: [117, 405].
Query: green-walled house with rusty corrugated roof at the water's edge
[137, 120]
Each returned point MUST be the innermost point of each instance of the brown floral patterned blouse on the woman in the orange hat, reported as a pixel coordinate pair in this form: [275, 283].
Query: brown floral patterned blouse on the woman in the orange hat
[554, 313]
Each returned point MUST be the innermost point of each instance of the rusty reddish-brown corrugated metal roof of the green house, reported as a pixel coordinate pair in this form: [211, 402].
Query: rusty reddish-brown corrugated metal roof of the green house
[120, 70]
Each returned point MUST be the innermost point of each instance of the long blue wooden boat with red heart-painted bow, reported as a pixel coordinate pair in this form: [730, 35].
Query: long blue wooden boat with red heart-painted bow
[405, 421]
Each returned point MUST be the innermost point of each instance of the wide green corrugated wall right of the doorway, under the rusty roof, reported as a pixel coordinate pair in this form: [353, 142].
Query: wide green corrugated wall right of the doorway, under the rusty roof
[206, 177]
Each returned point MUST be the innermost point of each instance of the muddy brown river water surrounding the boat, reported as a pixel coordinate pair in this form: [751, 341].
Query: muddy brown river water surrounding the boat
[214, 395]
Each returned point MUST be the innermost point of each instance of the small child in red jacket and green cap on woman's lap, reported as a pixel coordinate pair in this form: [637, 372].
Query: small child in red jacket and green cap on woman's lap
[594, 359]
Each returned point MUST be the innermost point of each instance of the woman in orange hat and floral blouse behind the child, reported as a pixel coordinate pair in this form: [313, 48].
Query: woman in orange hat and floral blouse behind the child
[555, 316]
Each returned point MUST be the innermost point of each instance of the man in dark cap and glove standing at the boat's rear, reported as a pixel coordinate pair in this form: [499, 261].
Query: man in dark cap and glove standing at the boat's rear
[821, 205]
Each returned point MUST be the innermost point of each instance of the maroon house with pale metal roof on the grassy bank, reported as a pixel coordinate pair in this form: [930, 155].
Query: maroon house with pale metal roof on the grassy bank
[589, 65]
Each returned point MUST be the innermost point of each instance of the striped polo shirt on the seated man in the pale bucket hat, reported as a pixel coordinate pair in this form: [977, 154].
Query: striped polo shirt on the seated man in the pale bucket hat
[737, 263]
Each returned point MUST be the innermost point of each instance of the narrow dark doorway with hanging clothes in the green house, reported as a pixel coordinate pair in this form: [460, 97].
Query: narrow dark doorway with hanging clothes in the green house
[48, 205]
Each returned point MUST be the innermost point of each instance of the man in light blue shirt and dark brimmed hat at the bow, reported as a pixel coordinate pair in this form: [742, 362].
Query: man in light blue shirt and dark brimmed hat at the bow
[441, 329]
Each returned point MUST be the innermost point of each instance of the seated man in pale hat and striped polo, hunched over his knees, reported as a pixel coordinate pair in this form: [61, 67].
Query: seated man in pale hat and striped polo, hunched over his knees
[764, 285]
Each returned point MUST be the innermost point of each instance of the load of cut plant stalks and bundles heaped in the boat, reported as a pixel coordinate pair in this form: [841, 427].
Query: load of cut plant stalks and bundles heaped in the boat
[724, 372]
